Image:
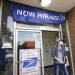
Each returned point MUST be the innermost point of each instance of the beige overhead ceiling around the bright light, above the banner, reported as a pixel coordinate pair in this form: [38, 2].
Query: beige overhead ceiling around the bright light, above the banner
[56, 5]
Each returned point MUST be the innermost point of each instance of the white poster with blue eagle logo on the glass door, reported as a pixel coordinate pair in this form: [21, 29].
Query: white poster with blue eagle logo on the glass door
[29, 62]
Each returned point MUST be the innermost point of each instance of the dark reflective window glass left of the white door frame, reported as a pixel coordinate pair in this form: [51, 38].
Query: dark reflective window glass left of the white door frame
[7, 39]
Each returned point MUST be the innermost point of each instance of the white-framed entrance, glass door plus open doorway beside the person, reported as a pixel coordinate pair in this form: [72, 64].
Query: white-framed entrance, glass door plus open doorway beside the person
[32, 51]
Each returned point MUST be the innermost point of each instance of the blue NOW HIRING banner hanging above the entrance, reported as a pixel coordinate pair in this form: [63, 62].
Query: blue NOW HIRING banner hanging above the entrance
[25, 13]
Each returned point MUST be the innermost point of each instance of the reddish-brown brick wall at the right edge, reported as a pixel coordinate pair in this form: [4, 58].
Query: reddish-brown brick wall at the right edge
[71, 25]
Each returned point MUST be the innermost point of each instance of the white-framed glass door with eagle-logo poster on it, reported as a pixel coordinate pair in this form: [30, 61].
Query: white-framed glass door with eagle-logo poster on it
[28, 54]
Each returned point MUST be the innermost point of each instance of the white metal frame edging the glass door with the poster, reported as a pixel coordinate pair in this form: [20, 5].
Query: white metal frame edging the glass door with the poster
[15, 53]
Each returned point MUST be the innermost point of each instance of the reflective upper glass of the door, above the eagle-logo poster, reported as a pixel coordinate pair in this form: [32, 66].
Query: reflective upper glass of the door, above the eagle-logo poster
[28, 40]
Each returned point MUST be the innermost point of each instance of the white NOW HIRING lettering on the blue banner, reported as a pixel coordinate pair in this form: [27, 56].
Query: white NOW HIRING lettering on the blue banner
[39, 15]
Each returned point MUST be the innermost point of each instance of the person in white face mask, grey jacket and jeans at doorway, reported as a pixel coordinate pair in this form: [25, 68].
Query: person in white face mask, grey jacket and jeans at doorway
[59, 55]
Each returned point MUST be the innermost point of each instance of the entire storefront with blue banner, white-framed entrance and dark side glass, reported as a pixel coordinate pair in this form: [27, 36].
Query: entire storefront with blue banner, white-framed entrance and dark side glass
[42, 22]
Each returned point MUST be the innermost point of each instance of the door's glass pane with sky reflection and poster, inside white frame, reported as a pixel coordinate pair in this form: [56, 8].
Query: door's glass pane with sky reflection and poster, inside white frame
[29, 48]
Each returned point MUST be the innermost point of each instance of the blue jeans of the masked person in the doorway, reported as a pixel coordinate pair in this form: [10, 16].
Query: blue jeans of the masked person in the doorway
[62, 67]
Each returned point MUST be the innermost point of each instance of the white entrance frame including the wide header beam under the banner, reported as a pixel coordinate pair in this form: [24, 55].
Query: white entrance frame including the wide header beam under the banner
[17, 29]
